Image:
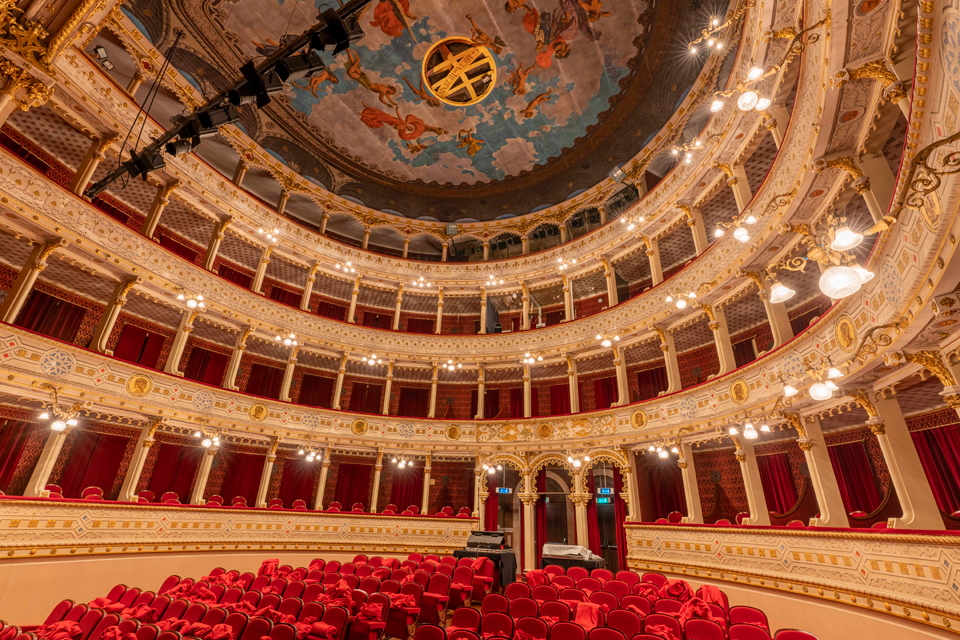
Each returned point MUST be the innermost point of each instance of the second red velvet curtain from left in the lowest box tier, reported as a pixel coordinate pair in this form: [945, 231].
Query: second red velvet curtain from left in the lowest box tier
[93, 462]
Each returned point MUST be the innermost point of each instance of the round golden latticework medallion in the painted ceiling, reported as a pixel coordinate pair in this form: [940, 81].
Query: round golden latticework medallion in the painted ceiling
[459, 72]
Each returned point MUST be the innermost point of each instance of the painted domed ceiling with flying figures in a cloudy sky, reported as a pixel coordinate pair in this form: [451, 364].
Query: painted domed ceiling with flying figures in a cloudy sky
[472, 108]
